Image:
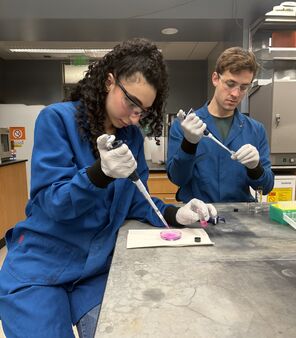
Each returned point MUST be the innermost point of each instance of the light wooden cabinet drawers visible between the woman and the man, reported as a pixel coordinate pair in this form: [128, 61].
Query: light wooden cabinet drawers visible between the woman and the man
[160, 186]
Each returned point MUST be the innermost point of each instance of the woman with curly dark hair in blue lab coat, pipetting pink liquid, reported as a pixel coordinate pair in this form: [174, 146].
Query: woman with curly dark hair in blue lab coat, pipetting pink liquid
[58, 259]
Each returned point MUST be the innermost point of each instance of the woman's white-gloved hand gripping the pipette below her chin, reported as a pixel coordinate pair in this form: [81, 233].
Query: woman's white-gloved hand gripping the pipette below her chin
[118, 162]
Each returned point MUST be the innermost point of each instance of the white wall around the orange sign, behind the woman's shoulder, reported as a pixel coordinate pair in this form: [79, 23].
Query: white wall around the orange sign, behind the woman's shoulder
[20, 115]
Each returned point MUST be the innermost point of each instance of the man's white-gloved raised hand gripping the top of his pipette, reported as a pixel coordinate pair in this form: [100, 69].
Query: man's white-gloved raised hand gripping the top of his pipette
[193, 127]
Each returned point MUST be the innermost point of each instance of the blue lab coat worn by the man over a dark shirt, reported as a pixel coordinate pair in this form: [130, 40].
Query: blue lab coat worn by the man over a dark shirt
[210, 174]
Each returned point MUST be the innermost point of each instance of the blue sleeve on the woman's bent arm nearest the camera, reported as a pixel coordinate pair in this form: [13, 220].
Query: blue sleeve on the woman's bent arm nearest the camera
[61, 190]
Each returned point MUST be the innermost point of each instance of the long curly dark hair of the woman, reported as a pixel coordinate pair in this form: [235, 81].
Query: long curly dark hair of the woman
[126, 59]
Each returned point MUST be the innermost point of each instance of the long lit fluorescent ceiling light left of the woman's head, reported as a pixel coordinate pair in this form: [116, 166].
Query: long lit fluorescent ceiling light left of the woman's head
[94, 52]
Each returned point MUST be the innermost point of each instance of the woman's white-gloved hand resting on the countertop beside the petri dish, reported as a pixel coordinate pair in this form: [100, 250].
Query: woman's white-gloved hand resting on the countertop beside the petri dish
[194, 211]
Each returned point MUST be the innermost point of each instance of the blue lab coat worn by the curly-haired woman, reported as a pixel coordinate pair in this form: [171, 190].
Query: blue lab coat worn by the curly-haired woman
[59, 256]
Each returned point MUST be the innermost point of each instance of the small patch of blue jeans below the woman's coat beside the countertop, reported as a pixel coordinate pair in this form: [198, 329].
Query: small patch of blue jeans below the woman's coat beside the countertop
[86, 326]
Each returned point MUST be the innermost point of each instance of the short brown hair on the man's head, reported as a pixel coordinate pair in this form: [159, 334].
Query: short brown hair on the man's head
[235, 60]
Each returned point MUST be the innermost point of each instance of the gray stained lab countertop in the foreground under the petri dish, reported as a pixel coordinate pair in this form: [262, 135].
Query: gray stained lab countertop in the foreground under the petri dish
[243, 286]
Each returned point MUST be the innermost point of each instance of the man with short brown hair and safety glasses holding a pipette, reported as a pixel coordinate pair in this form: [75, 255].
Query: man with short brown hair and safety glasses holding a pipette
[201, 168]
